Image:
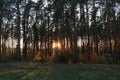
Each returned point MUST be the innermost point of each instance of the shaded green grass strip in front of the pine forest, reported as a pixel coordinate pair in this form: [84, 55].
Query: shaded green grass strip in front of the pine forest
[31, 71]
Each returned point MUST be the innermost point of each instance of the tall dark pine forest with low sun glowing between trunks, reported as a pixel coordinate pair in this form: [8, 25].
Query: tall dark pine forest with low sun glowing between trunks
[67, 31]
